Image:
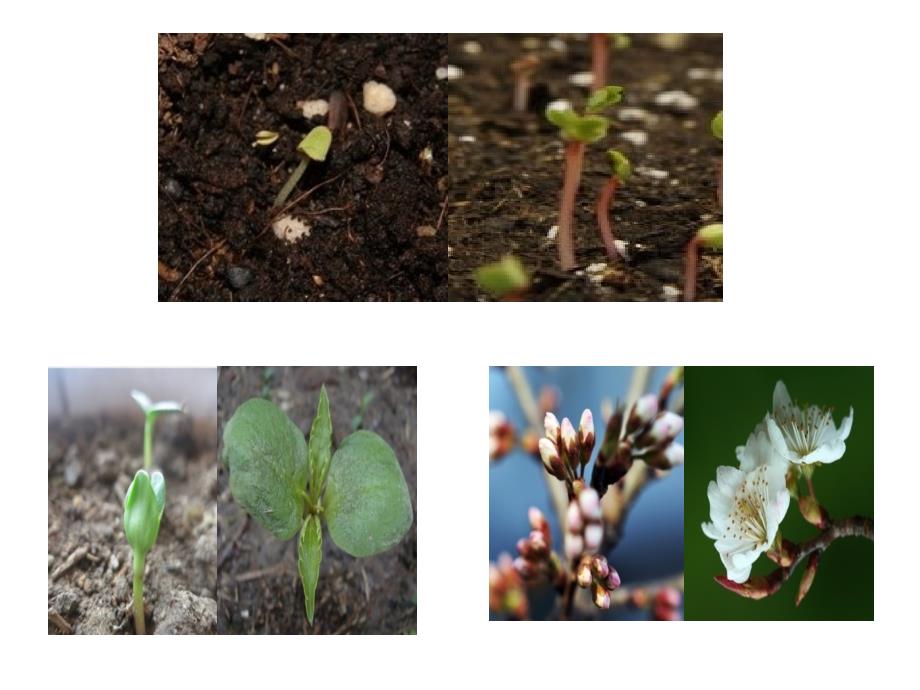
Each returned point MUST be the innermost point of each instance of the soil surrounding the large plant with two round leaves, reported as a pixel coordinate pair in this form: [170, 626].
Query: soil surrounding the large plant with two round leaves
[258, 583]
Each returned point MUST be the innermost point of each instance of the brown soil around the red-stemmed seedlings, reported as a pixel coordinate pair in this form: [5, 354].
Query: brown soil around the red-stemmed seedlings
[505, 182]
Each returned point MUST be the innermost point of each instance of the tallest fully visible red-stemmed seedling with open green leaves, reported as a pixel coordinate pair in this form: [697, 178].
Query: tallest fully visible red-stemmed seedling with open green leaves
[577, 131]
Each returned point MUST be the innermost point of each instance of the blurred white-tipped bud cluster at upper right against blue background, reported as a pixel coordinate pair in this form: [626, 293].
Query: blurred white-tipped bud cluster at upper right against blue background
[648, 434]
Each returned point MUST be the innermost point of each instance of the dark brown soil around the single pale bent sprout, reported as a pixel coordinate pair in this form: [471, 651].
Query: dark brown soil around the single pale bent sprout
[216, 189]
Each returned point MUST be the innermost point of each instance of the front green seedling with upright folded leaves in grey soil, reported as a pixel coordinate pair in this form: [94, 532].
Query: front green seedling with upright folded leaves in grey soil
[144, 506]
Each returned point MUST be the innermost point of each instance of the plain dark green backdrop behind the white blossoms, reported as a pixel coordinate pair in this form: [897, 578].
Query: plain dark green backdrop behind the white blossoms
[723, 405]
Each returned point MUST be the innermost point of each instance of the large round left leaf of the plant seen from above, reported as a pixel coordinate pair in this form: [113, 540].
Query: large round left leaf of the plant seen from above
[269, 466]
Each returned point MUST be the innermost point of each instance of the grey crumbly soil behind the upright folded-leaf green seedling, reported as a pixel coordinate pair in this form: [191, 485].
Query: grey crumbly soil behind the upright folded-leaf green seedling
[91, 463]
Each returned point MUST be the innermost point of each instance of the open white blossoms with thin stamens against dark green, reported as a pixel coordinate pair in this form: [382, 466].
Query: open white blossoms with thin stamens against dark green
[747, 503]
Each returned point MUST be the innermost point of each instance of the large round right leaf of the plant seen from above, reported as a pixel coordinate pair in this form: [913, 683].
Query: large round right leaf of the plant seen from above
[367, 502]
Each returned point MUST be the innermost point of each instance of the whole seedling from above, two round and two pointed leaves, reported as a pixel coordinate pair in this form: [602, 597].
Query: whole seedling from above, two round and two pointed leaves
[288, 485]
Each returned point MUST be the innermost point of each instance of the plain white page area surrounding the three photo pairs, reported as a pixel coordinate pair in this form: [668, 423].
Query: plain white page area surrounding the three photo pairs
[821, 194]
